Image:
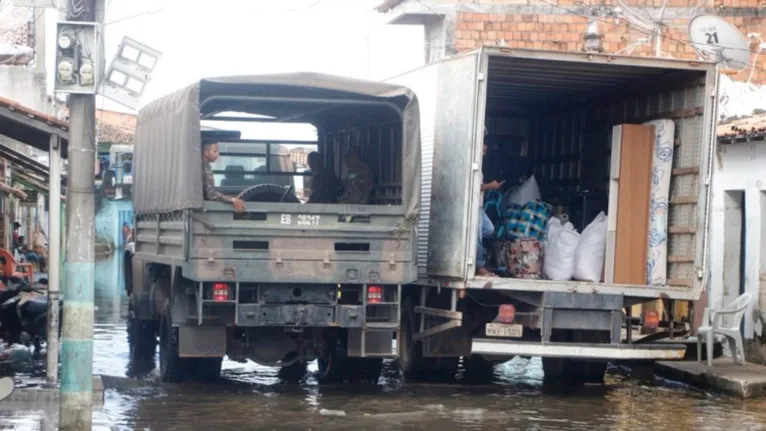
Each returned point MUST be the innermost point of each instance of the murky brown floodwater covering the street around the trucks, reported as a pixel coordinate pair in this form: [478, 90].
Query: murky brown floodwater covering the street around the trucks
[251, 397]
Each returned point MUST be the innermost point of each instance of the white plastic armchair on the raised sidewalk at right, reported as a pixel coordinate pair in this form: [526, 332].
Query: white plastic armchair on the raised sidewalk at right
[712, 323]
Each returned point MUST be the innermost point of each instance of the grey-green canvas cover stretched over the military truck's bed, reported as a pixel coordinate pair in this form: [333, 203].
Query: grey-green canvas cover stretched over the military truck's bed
[167, 155]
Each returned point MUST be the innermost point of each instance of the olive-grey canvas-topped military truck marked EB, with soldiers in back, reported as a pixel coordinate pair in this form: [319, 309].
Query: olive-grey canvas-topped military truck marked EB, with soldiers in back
[283, 283]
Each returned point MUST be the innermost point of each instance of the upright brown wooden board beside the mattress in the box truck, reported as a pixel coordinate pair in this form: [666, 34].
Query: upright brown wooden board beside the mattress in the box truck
[628, 232]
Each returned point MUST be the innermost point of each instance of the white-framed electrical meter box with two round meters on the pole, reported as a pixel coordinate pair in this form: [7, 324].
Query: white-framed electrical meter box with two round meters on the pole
[77, 57]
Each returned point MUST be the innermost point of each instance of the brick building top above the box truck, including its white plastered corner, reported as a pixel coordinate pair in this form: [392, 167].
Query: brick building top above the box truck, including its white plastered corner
[453, 26]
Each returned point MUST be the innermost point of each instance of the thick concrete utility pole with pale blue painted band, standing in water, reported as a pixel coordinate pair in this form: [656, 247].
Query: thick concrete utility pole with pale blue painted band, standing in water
[76, 401]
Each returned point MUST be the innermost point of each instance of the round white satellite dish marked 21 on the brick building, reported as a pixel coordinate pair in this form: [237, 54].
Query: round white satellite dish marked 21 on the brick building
[717, 40]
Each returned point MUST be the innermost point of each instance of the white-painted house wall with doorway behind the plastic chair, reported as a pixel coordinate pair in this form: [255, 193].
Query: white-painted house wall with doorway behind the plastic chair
[740, 172]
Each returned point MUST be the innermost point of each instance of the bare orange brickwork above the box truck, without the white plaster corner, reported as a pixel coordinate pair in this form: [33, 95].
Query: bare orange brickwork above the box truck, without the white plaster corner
[564, 31]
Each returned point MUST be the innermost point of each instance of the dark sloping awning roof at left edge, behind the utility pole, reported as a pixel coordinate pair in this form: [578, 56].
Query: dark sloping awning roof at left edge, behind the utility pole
[32, 127]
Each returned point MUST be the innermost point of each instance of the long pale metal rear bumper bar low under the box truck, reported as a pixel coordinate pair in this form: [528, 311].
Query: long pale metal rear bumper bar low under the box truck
[610, 352]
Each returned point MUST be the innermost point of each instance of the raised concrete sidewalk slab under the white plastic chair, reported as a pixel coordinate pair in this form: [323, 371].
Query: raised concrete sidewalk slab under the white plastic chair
[742, 381]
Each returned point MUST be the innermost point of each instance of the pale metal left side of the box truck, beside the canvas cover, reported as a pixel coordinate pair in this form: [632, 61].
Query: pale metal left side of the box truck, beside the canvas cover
[451, 124]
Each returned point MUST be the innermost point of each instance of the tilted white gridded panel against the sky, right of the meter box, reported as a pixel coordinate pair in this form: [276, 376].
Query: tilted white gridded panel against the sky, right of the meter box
[130, 72]
